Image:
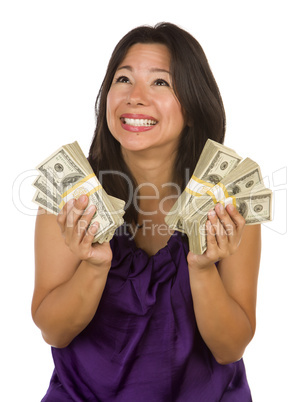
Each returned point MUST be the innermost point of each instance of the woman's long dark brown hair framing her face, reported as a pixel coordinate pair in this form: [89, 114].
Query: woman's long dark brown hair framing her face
[197, 92]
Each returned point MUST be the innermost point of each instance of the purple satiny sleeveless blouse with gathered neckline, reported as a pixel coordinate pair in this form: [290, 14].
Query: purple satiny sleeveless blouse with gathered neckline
[143, 343]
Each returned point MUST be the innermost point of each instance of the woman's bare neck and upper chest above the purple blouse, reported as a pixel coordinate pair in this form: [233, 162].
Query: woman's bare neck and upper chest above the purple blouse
[154, 197]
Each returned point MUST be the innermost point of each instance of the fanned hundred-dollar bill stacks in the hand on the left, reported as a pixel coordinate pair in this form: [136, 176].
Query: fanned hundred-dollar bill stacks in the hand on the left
[67, 174]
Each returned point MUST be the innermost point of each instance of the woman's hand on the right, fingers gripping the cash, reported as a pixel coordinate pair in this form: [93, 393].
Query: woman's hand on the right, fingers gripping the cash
[224, 230]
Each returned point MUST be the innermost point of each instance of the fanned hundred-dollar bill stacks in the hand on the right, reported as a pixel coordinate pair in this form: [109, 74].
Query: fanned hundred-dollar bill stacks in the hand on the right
[219, 177]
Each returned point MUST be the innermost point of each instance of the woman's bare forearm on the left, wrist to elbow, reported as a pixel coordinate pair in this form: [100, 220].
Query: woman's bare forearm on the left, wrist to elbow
[69, 308]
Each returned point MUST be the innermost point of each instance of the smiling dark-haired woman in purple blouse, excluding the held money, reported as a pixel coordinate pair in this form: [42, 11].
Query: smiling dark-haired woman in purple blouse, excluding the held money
[142, 318]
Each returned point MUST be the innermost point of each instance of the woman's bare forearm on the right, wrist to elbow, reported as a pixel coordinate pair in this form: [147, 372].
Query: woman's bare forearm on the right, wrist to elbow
[222, 322]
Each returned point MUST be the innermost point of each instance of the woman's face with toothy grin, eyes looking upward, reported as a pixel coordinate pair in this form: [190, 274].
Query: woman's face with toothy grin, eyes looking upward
[143, 112]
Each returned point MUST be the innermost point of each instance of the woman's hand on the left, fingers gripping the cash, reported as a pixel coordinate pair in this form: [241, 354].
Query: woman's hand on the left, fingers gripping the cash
[74, 220]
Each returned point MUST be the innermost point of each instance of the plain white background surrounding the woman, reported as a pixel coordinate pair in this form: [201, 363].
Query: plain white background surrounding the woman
[53, 58]
